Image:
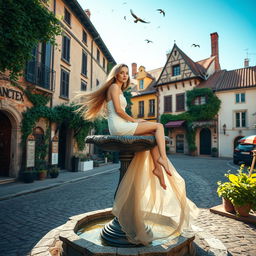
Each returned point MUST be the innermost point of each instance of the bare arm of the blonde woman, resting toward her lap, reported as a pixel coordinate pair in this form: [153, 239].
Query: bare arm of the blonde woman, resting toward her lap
[114, 92]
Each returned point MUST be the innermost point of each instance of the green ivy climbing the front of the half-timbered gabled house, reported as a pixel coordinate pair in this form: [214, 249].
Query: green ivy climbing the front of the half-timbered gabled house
[204, 112]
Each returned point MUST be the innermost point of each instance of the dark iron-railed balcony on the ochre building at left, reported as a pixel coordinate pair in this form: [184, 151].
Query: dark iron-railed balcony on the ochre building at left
[39, 74]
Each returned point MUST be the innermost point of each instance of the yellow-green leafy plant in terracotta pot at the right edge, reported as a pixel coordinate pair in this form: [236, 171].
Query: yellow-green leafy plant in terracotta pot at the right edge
[240, 190]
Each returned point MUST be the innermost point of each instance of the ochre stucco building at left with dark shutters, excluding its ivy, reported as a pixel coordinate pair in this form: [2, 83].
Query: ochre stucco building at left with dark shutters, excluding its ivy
[79, 63]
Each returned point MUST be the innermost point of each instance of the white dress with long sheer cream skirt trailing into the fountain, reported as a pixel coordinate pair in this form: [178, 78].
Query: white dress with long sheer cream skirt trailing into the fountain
[145, 210]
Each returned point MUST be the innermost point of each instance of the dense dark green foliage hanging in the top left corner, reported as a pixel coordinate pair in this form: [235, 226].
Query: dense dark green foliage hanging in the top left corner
[24, 23]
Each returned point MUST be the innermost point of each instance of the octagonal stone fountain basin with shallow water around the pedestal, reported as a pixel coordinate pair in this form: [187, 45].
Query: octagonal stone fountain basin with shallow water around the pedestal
[68, 240]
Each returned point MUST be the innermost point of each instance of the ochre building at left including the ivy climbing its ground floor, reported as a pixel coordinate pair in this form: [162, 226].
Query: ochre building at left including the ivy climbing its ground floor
[40, 102]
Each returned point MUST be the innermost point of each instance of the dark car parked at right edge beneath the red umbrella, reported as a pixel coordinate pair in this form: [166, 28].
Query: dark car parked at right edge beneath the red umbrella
[243, 153]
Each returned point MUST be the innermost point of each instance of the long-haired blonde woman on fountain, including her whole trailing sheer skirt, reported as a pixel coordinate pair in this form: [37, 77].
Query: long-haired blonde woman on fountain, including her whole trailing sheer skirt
[139, 201]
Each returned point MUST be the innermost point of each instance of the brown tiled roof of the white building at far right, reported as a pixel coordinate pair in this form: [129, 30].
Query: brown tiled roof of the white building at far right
[230, 80]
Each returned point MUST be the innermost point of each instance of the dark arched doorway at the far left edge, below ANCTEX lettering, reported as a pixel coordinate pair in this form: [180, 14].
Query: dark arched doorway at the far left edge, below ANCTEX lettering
[5, 144]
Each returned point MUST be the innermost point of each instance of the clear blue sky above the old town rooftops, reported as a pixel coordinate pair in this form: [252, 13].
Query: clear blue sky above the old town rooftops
[186, 22]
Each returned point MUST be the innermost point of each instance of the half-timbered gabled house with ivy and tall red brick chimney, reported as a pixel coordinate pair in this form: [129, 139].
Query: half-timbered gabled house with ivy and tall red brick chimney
[188, 113]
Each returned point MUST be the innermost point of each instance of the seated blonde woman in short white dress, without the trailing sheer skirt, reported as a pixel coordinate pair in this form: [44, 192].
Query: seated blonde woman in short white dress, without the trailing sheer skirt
[119, 122]
